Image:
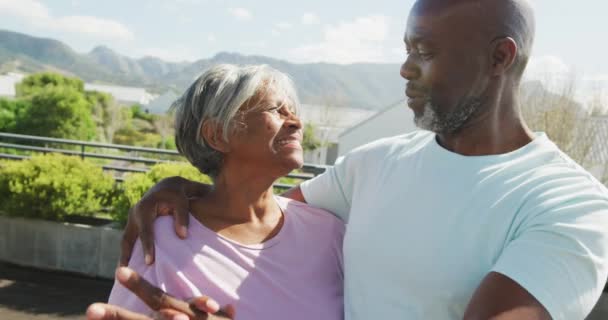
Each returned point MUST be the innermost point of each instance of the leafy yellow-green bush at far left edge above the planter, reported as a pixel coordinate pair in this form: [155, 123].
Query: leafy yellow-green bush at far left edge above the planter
[52, 187]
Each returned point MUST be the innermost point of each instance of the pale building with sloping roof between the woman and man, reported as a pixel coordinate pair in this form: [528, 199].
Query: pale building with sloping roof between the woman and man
[393, 120]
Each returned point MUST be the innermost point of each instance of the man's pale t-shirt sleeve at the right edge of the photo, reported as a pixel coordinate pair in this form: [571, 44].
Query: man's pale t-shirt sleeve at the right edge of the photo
[560, 253]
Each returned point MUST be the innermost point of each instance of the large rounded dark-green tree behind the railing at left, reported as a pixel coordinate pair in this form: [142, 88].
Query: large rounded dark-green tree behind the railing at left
[59, 112]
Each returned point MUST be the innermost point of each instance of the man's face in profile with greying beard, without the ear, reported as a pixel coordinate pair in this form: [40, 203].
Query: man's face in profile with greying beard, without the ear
[446, 66]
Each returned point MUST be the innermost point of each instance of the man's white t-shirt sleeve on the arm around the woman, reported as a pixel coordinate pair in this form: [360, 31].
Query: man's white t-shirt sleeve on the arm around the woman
[331, 190]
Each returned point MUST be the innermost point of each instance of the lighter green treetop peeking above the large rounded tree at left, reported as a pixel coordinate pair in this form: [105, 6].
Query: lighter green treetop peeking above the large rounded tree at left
[36, 82]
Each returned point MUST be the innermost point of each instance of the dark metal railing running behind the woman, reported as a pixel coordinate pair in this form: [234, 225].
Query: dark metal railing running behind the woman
[130, 154]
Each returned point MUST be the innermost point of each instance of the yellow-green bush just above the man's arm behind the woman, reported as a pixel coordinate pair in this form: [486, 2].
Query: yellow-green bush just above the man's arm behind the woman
[136, 184]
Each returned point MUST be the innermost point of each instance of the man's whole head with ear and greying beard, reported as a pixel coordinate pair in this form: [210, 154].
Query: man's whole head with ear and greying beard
[463, 57]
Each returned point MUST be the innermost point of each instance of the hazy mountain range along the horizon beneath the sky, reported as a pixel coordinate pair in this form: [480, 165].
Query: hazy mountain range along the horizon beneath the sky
[361, 85]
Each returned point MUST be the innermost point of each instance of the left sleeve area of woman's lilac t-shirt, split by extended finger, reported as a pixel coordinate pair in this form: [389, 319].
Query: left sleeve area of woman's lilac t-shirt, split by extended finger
[121, 296]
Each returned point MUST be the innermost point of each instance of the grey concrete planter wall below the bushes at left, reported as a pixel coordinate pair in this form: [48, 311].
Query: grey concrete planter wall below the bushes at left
[89, 250]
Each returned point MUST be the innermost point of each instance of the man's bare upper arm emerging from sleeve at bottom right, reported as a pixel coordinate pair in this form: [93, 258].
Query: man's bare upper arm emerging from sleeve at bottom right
[500, 298]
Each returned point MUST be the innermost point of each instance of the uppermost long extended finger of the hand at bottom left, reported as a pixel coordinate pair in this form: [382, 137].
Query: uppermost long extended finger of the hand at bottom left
[154, 297]
